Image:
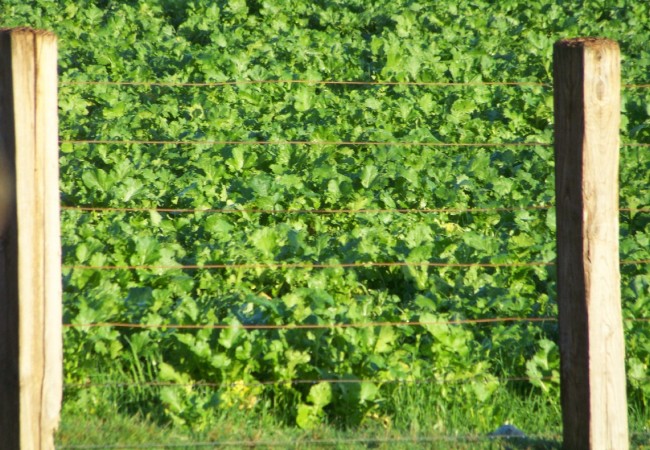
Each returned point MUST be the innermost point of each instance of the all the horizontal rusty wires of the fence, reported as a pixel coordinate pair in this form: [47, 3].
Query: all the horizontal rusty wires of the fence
[445, 379]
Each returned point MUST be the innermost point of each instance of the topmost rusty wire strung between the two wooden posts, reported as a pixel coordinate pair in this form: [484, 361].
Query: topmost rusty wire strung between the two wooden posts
[321, 82]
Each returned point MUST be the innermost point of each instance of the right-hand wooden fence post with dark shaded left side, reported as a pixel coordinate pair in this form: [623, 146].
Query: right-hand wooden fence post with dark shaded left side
[587, 88]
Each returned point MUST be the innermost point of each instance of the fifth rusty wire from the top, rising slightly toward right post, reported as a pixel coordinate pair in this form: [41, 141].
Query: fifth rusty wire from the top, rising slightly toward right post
[312, 326]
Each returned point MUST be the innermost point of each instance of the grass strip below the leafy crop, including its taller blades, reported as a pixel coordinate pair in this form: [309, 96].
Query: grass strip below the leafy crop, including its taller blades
[420, 422]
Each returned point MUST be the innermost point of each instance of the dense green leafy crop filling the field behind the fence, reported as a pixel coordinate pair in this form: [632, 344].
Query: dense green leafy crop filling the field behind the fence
[208, 41]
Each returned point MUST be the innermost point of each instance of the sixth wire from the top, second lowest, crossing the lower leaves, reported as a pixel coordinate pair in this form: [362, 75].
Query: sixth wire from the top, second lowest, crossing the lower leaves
[154, 384]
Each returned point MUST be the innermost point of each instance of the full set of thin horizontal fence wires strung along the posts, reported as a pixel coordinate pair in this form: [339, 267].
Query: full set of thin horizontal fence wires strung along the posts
[315, 265]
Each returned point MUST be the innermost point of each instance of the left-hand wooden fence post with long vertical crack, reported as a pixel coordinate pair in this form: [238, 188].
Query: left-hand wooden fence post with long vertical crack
[30, 251]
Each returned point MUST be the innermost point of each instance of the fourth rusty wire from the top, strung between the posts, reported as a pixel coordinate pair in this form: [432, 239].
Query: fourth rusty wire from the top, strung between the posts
[307, 265]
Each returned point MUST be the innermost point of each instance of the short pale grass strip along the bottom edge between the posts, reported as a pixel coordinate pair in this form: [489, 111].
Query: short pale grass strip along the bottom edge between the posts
[134, 433]
